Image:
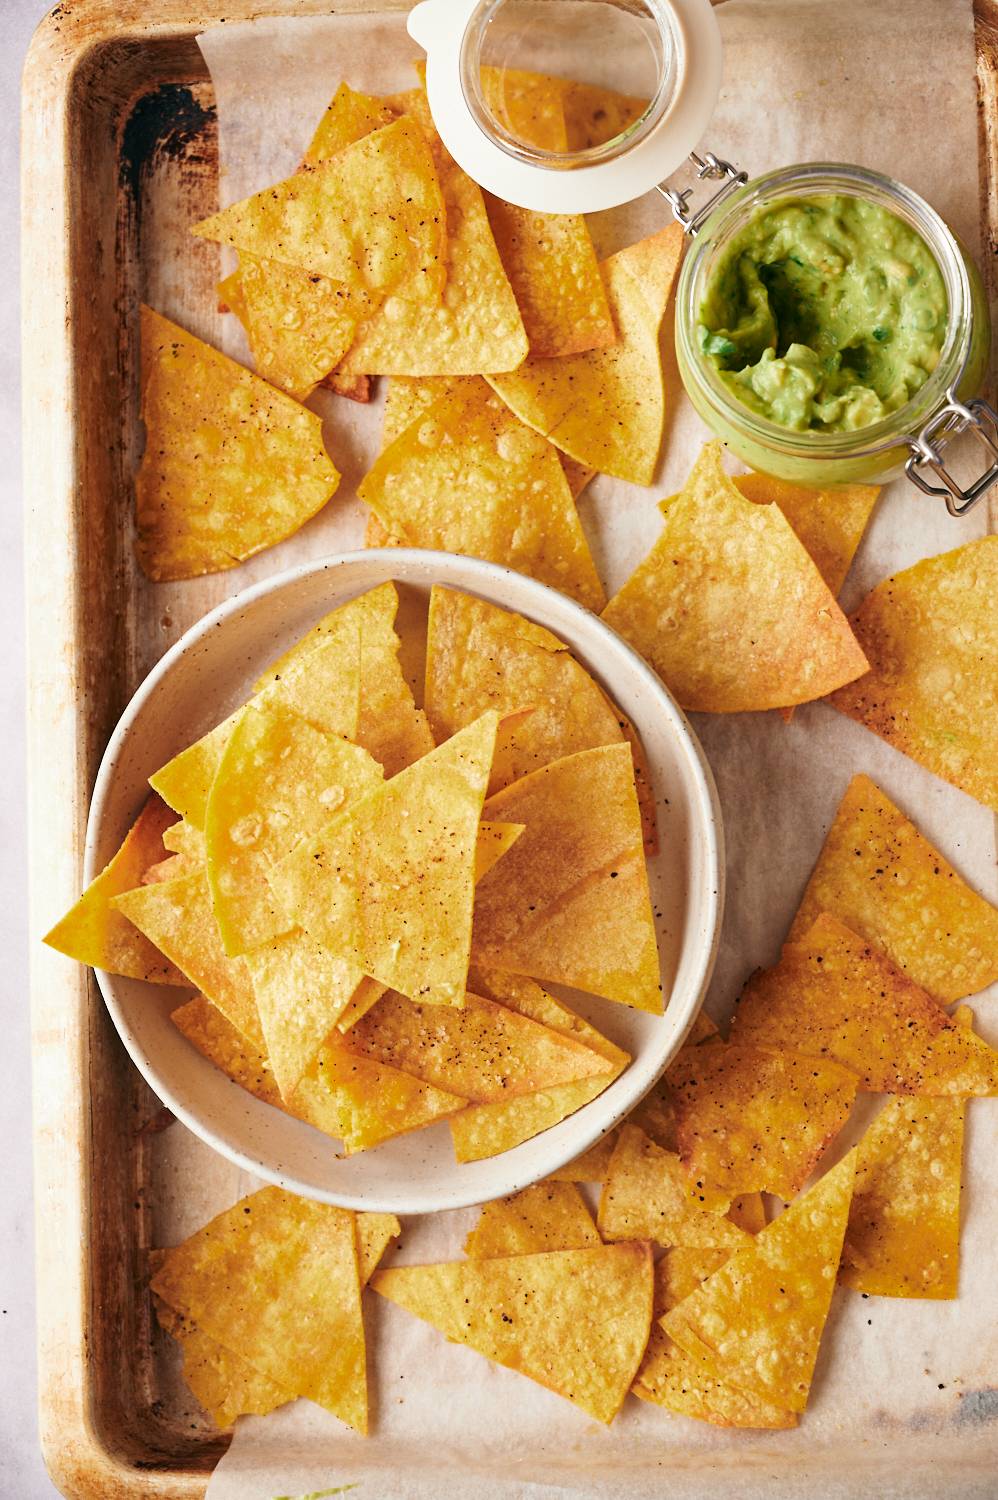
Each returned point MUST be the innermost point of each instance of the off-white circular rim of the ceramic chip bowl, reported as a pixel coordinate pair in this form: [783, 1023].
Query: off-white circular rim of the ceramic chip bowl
[485, 577]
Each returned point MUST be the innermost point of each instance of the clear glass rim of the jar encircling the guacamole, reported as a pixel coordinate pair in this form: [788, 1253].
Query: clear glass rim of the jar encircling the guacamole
[847, 181]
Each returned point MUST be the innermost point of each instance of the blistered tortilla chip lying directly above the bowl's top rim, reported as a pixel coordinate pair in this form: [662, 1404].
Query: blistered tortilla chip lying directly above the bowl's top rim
[473, 479]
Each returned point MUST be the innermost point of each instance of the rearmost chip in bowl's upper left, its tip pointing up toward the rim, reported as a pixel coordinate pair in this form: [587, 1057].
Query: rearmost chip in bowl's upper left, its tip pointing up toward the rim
[391, 728]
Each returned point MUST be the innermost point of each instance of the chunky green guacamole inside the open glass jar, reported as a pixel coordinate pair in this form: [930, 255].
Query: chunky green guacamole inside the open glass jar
[825, 314]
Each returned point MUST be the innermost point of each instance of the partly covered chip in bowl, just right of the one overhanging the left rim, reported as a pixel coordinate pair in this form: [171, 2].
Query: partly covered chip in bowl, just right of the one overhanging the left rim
[178, 917]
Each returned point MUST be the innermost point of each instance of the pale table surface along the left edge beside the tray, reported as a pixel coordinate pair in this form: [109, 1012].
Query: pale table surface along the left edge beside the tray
[22, 1471]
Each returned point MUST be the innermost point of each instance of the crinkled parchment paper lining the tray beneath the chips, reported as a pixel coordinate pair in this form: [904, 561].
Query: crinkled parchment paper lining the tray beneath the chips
[889, 86]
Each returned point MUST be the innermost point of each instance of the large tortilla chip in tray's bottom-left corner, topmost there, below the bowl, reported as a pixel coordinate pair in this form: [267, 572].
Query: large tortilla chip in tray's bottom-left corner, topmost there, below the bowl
[310, 1336]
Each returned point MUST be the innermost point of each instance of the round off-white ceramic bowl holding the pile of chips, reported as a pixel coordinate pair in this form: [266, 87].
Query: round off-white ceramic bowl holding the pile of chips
[208, 674]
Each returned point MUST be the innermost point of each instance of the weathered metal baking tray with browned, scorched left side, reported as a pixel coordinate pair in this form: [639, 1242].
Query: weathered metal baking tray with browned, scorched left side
[119, 160]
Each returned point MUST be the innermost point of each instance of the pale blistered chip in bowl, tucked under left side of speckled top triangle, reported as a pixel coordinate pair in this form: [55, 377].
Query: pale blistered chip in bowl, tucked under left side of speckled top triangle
[278, 782]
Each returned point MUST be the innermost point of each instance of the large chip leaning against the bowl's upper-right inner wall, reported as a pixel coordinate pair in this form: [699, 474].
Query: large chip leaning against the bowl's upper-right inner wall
[481, 656]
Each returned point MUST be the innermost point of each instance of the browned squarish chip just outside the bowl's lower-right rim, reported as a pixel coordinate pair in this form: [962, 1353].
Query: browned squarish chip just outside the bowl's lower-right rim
[756, 1121]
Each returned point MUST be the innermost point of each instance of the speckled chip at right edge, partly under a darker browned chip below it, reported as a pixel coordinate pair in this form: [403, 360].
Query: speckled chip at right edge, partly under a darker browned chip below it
[880, 877]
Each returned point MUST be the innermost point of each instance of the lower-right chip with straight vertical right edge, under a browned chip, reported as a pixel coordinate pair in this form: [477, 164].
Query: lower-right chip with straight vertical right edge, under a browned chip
[904, 1232]
